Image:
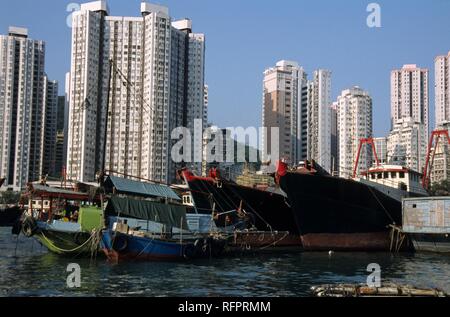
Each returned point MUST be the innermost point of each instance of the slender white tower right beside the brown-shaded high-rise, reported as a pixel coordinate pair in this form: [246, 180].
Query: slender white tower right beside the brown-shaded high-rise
[319, 119]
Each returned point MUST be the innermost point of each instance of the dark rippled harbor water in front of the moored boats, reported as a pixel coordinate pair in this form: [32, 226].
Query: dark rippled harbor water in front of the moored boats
[27, 269]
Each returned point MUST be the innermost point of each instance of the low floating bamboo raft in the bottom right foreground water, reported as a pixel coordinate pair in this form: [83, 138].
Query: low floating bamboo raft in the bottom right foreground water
[386, 290]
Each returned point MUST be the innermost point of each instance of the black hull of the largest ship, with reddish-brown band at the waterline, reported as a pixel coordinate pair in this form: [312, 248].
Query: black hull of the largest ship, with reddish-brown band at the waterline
[339, 214]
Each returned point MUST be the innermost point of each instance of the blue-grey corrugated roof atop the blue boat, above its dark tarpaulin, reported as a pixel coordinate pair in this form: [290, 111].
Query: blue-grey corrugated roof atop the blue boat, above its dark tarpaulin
[141, 188]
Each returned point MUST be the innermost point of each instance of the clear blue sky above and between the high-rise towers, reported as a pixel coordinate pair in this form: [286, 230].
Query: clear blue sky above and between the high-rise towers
[246, 36]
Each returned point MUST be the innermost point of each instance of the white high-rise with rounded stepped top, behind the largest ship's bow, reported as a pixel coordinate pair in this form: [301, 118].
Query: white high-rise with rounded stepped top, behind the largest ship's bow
[354, 123]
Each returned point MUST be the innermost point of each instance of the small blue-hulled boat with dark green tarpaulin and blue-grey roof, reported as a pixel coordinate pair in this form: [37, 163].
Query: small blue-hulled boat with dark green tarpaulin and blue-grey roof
[150, 223]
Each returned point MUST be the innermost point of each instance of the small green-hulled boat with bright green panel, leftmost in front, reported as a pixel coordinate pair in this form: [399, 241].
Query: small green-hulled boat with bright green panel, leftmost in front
[64, 221]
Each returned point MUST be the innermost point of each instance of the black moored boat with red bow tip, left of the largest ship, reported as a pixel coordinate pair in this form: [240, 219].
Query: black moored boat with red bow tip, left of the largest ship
[263, 213]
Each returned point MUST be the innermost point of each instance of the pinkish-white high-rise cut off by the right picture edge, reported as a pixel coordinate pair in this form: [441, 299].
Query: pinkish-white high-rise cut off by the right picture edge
[442, 89]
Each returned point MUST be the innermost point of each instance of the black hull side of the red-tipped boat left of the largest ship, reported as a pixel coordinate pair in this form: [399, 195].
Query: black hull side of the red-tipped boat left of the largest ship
[270, 211]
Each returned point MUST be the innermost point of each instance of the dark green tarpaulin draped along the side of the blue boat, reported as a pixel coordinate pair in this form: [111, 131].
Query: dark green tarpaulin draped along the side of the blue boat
[168, 214]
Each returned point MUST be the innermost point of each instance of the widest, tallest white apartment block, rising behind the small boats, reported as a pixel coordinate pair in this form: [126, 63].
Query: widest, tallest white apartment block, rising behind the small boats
[148, 72]
